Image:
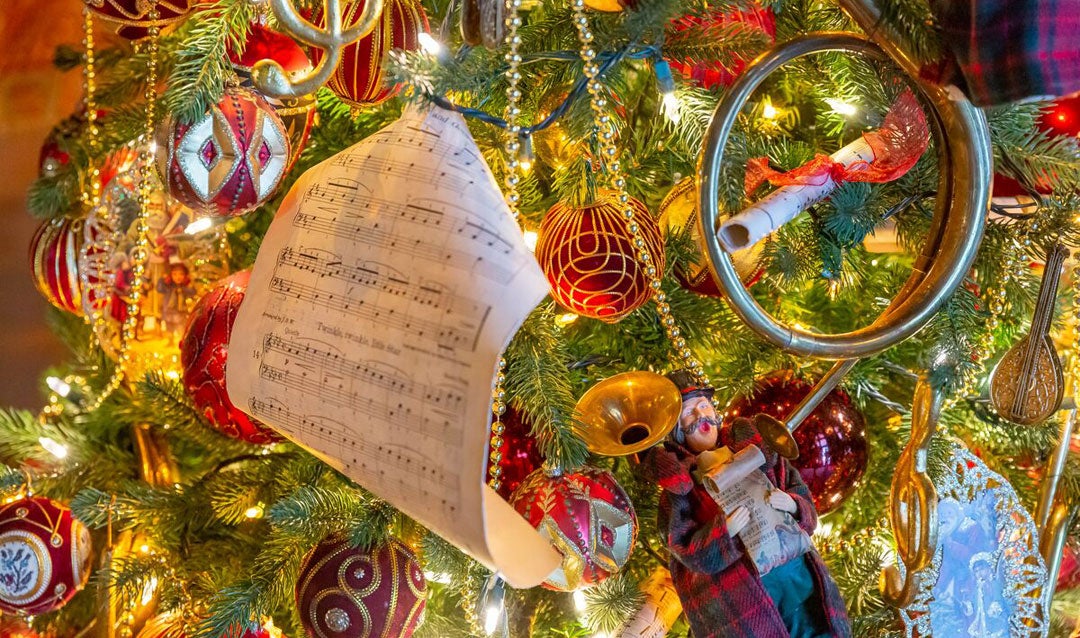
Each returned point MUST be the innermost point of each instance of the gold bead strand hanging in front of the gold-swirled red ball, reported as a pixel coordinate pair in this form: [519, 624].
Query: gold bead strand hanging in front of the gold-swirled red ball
[604, 129]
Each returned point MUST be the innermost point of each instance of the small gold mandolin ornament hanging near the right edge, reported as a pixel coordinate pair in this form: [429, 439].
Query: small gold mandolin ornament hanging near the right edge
[1028, 386]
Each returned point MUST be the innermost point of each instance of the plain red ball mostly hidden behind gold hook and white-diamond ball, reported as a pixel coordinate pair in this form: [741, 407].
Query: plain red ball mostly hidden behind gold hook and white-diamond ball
[296, 114]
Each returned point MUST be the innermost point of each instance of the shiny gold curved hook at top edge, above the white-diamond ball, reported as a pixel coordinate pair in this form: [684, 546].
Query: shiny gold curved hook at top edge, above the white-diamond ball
[272, 79]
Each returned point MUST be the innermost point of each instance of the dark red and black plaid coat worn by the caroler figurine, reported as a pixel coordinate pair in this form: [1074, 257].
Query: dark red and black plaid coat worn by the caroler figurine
[719, 583]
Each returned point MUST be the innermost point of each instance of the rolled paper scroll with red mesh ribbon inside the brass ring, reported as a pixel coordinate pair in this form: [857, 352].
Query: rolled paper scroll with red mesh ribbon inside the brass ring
[877, 157]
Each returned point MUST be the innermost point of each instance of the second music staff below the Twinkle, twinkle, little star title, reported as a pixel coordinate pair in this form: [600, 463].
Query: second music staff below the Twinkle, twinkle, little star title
[401, 416]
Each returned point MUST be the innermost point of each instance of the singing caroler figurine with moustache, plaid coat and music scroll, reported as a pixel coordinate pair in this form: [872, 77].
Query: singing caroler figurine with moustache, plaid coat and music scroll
[738, 521]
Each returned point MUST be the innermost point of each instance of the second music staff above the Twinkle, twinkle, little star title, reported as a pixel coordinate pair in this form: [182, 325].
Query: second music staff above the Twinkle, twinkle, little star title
[376, 277]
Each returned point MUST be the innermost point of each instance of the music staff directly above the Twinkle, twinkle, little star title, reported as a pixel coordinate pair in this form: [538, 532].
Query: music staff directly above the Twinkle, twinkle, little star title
[444, 338]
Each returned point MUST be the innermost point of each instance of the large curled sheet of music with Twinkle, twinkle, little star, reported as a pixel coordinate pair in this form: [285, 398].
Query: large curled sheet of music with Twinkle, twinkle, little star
[384, 293]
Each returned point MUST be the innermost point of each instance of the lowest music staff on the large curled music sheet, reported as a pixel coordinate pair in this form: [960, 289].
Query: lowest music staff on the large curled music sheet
[413, 463]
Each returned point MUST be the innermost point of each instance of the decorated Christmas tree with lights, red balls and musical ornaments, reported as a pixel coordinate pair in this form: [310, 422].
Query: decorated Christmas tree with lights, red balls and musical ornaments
[600, 124]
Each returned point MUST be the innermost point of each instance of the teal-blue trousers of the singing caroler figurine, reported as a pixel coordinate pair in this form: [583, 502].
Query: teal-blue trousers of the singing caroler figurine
[792, 590]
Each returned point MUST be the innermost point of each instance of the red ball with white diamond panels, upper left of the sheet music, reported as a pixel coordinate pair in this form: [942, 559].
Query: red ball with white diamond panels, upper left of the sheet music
[229, 161]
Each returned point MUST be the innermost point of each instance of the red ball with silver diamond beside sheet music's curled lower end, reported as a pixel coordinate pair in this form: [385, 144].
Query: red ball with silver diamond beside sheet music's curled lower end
[587, 517]
